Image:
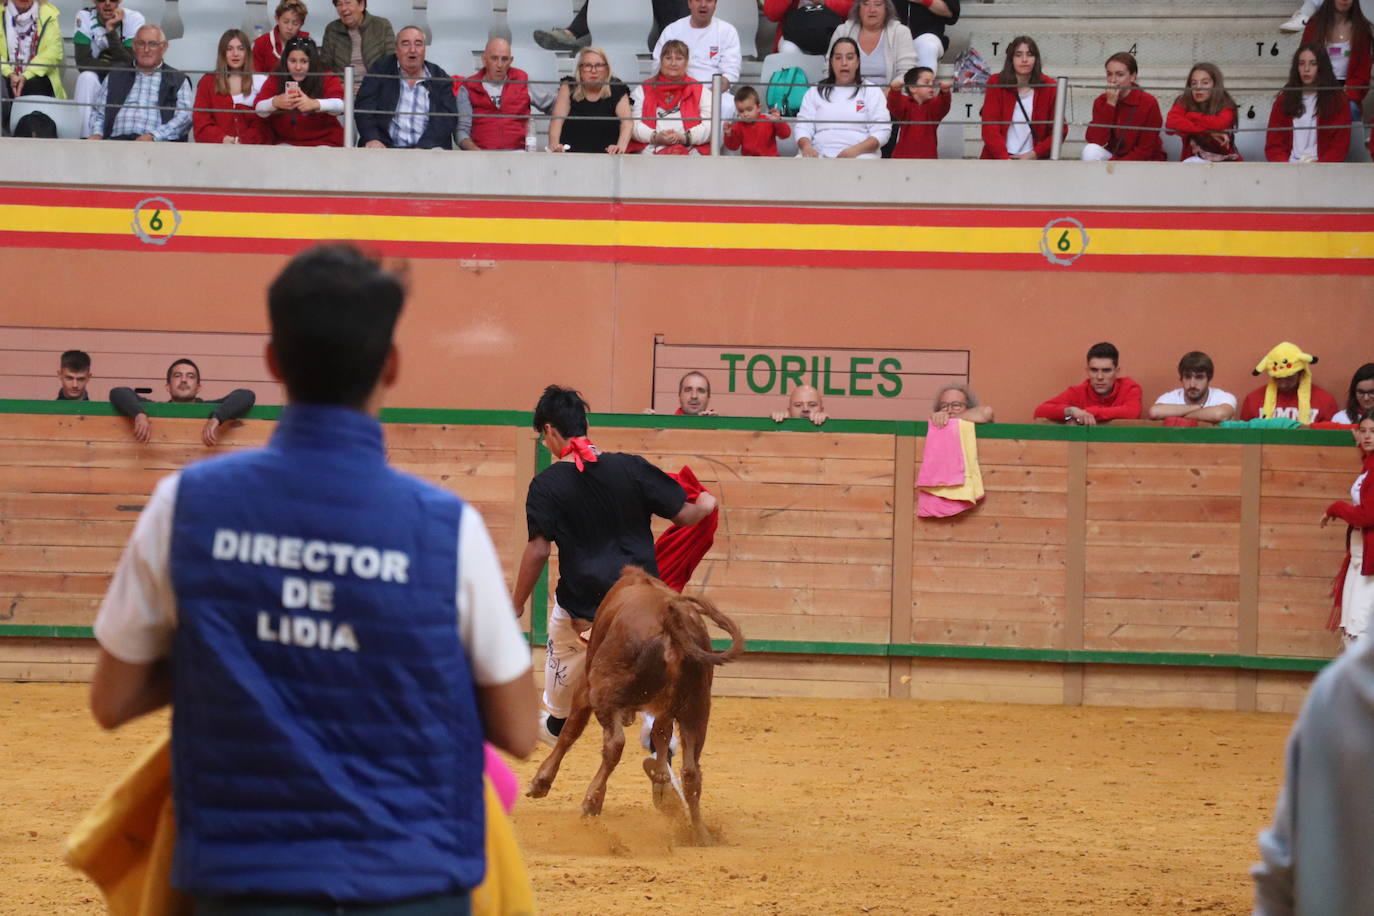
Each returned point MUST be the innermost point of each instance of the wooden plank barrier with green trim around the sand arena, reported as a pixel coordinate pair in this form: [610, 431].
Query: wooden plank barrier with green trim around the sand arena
[1110, 566]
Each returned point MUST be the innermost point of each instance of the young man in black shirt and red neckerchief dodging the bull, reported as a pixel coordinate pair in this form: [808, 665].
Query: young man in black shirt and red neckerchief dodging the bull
[597, 507]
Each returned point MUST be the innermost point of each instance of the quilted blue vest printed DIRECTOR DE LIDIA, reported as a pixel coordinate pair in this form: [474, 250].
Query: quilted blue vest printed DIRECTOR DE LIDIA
[326, 737]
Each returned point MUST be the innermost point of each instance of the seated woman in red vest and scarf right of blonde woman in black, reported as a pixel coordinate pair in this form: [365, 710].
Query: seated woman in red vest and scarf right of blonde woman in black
[673, 112]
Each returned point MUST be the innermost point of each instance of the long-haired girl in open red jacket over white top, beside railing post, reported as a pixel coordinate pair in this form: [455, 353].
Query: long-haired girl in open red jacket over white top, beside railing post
[1019, 106]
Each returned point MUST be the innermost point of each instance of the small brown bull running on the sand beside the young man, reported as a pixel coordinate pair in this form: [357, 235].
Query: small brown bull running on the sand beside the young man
[649, 650]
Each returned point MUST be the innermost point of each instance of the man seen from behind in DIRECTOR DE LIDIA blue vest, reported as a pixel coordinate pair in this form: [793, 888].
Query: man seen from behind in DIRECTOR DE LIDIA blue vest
[336, 639]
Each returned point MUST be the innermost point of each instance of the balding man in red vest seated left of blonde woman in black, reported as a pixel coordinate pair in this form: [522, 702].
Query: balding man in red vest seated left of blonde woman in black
[493, 101]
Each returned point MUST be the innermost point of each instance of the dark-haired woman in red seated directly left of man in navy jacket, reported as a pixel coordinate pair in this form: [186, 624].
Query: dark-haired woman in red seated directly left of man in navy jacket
[300, 104]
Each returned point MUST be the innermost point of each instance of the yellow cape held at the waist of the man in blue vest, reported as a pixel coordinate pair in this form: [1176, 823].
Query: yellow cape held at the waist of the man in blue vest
[126, 844]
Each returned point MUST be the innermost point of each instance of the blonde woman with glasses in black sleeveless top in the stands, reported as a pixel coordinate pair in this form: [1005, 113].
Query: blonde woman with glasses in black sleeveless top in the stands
[593, 112]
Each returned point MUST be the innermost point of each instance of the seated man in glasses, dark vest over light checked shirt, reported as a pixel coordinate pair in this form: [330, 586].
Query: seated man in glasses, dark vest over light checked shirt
[152, 104]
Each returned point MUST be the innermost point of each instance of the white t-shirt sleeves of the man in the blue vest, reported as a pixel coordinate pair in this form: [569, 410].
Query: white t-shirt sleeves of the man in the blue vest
[138, 616]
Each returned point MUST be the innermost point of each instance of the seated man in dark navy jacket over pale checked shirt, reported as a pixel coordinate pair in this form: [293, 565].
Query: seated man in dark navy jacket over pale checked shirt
[406, 102]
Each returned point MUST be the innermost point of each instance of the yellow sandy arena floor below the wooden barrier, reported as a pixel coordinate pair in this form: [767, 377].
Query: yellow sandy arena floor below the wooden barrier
[822, 807]
